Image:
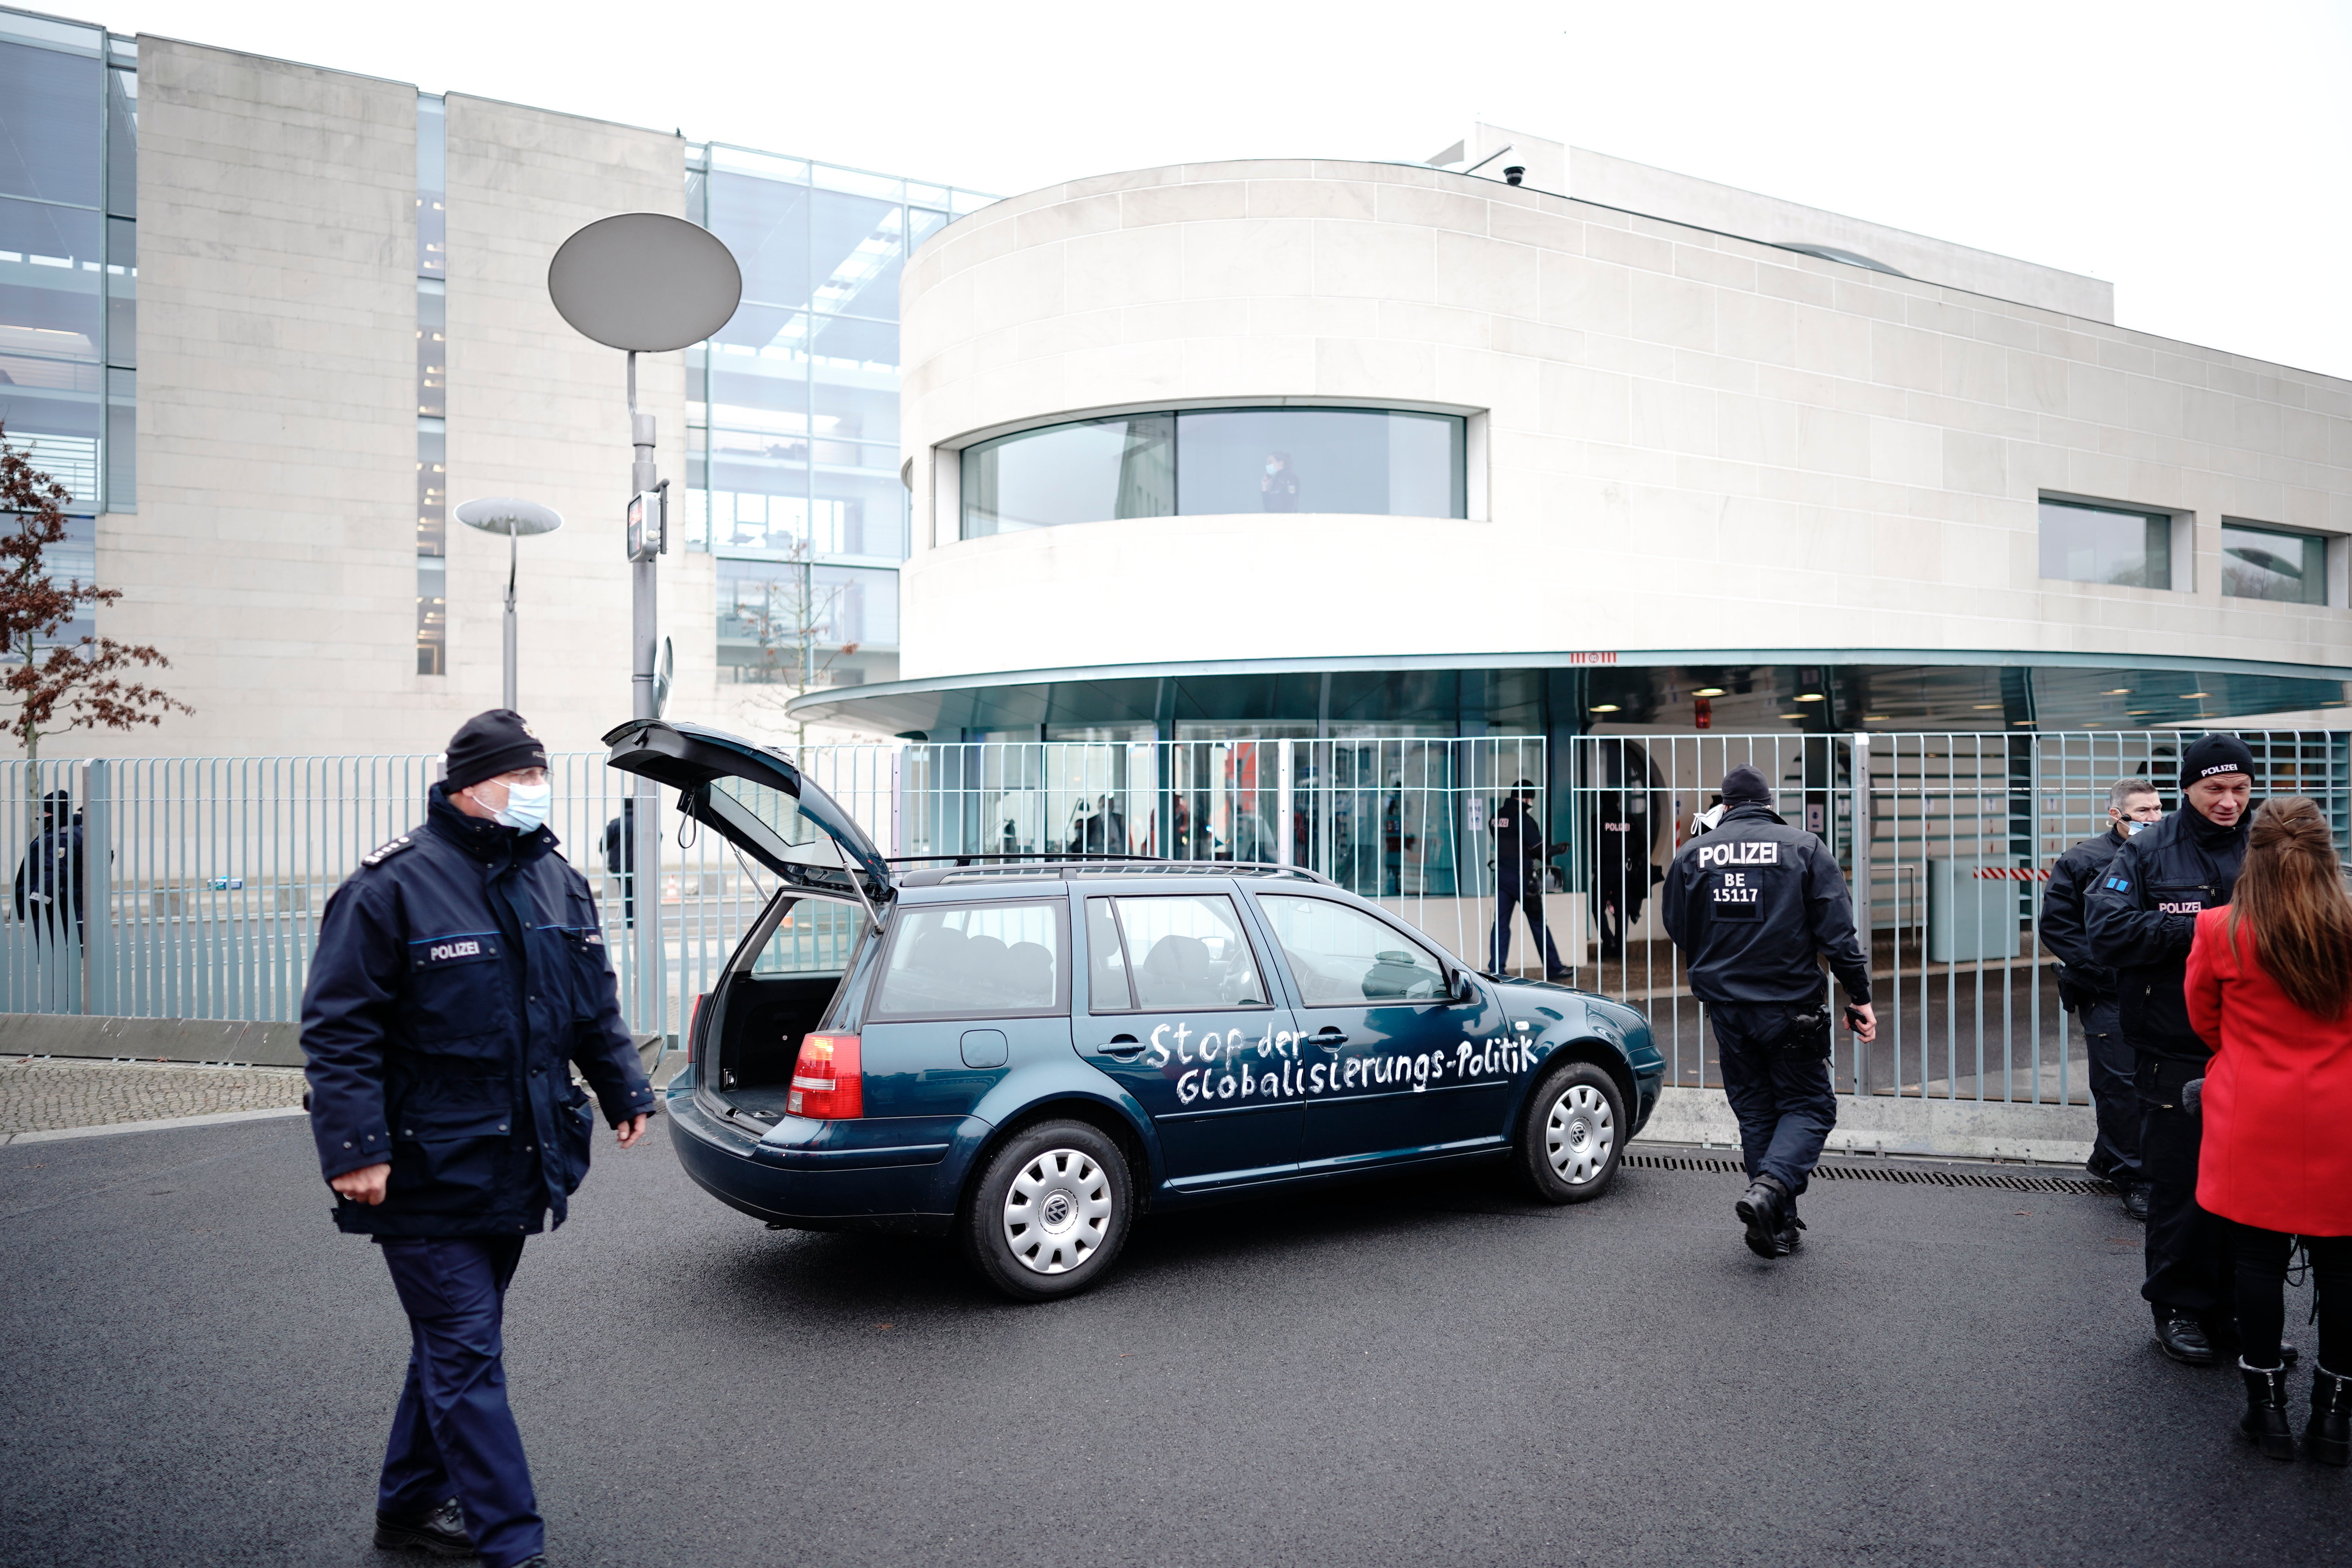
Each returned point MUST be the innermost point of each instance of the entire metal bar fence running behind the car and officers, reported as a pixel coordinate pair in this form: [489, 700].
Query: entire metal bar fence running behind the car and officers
[215, 871]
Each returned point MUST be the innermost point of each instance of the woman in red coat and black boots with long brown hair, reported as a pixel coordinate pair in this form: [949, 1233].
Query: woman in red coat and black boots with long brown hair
[2271, 991]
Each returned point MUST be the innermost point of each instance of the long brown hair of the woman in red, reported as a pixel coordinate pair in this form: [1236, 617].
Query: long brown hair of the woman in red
[2292, 894]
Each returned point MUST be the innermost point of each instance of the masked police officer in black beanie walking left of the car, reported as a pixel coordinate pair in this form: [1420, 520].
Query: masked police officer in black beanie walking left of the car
[457, 974]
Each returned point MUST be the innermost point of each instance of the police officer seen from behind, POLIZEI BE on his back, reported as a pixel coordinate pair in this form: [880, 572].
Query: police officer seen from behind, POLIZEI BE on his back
[1756, 906]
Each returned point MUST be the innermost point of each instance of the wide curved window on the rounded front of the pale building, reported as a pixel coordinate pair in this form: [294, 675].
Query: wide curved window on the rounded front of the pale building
[1210, 462]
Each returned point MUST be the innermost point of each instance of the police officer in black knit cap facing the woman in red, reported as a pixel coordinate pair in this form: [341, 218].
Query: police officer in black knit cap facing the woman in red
[2141, 918]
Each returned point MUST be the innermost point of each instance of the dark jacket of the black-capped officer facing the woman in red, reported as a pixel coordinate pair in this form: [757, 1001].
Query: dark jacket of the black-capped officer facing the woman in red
[2144, 918]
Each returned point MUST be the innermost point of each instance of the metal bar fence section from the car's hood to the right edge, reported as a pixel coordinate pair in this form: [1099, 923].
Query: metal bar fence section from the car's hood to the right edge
[1946, 840]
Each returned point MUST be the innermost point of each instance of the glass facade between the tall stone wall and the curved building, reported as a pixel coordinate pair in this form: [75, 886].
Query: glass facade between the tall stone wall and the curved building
[794, 413]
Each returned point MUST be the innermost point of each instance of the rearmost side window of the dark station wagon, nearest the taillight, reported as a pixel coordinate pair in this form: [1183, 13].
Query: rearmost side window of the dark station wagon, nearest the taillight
[977, 960]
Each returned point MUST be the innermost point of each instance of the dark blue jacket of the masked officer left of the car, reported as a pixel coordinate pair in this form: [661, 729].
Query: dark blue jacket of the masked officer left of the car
[457, 972]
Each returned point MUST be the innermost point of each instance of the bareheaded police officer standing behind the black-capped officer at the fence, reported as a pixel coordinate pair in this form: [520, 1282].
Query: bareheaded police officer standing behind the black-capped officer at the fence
[2087, 991]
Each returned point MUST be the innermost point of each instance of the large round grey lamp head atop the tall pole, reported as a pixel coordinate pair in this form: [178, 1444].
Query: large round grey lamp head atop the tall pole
[646, 281]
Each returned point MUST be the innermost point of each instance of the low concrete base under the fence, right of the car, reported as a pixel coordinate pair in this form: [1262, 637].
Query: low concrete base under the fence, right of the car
[1902, 1125]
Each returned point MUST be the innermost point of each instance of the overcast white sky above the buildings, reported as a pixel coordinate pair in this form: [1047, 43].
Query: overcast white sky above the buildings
[2191, 154]
